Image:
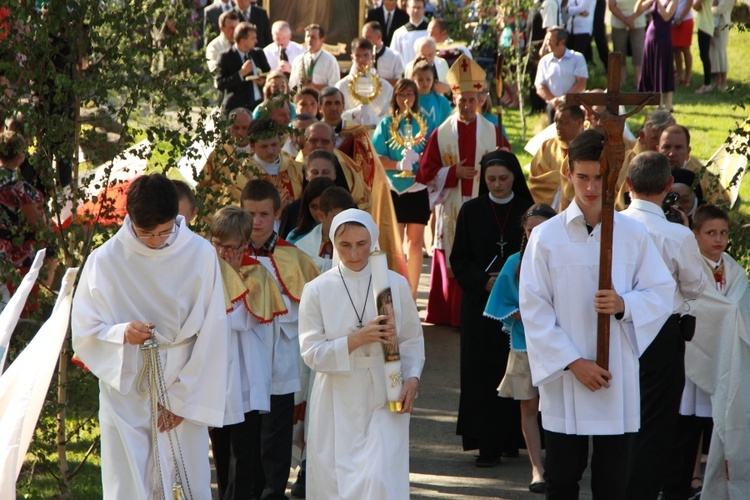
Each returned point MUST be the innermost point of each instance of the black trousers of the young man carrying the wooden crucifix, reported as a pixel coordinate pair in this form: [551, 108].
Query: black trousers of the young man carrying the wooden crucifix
[567, 457]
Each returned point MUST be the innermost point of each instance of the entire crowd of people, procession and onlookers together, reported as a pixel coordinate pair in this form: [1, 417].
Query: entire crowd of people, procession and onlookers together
[268, 336]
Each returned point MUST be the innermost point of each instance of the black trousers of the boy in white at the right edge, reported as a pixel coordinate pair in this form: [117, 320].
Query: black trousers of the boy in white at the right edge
[678, 469]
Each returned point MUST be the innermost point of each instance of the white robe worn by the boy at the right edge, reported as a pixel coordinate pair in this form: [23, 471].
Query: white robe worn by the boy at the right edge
[717, 361]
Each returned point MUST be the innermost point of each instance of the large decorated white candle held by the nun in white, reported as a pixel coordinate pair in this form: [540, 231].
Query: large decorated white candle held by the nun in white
[381, 285]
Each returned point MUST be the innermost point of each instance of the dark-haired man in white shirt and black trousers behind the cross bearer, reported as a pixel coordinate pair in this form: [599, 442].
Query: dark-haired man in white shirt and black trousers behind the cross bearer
[662, 366]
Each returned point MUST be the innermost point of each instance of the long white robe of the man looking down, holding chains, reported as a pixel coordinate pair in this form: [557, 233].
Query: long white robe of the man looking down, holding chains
[179, 289]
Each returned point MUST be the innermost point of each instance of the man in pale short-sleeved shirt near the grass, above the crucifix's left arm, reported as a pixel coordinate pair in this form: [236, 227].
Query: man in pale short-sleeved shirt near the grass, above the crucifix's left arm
[560, 71]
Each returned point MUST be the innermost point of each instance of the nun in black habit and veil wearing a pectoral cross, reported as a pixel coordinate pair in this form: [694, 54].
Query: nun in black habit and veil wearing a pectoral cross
[488, 231]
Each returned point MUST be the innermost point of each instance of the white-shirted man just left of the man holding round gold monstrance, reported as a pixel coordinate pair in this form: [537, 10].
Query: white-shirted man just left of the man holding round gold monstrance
[316, 68]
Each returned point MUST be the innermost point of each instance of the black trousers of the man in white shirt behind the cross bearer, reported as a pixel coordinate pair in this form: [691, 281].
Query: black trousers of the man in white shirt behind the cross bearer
[662, 378]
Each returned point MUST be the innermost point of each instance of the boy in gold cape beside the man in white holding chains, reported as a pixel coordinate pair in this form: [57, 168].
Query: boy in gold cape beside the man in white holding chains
[253, 303]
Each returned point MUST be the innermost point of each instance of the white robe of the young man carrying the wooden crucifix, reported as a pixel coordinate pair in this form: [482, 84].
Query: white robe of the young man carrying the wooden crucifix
[559, 276]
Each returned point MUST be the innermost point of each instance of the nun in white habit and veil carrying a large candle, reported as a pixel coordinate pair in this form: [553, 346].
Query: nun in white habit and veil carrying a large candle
[357, 447]
